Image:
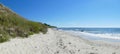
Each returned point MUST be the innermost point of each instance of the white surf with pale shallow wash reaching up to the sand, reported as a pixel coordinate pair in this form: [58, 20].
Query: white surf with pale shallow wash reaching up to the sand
[96, 37]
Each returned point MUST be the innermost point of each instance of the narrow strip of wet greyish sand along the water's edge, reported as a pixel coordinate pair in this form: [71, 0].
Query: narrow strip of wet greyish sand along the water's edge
[112, 43]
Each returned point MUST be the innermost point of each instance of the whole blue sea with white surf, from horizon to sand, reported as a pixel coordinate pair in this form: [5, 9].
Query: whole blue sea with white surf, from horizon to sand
[107, 34]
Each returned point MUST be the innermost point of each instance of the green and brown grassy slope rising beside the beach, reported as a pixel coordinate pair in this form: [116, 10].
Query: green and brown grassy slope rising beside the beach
[13, 25]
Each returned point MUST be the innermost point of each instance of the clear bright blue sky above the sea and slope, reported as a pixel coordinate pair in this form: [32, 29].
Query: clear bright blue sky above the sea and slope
[69, 13]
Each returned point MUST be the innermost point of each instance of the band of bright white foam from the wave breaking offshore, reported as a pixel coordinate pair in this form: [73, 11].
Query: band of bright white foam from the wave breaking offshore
[108, 36]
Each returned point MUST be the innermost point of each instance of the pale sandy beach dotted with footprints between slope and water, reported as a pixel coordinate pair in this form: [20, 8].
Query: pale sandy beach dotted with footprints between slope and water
[57, 42]
